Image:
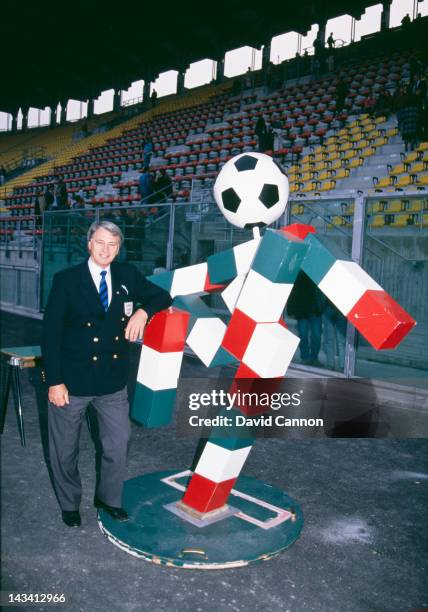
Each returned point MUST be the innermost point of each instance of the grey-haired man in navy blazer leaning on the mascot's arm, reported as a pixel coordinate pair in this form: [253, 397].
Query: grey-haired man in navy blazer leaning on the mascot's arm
[94, 310]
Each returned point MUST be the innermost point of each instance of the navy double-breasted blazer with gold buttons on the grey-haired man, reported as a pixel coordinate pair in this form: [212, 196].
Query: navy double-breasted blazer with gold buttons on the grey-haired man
[83, 346]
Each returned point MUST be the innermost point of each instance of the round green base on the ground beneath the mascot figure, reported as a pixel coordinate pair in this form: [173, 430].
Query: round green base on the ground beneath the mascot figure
[260, 522]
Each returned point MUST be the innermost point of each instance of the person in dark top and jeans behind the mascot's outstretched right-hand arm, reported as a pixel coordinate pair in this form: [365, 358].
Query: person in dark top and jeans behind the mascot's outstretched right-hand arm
[304, 304]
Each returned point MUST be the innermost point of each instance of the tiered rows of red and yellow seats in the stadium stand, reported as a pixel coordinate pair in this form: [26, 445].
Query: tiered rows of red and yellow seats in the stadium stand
[196, 133]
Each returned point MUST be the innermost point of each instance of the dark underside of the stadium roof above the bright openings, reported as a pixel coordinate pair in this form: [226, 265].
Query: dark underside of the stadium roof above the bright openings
[56, 51]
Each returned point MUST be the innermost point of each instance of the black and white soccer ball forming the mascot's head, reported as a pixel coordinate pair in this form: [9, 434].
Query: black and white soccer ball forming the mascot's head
[251, 190]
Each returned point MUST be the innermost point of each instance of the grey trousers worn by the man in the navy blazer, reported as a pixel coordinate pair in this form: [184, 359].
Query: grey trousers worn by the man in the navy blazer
[64, 425]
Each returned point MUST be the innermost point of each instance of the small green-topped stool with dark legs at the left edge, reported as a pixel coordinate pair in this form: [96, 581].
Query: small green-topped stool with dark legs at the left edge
[18, 357]
